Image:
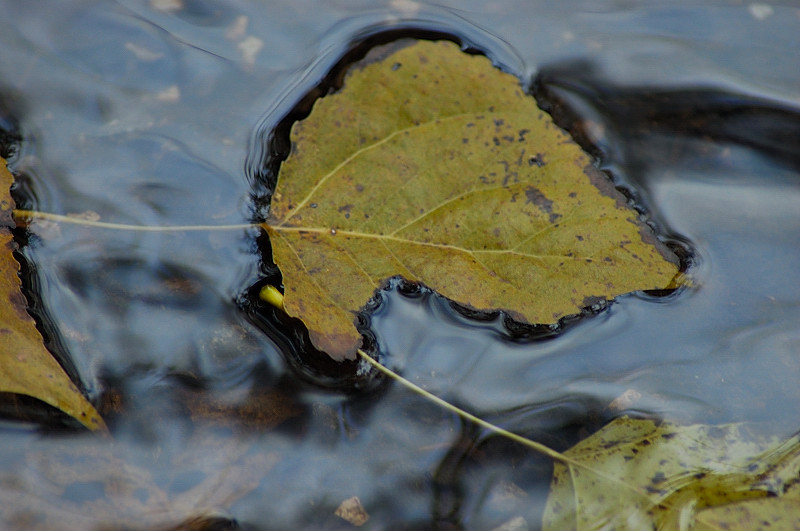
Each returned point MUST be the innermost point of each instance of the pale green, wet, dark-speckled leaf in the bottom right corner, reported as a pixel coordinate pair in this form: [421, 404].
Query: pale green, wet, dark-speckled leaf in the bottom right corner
[635, 474]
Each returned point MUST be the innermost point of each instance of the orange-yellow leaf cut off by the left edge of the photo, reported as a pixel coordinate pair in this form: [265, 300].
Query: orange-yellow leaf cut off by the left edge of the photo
[26, 367]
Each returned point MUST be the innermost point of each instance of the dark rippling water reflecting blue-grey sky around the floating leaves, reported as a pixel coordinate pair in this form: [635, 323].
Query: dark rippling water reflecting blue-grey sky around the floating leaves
[146, 114]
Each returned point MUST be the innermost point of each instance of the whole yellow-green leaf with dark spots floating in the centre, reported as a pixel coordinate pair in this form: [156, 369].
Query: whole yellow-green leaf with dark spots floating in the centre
[432, 164]
